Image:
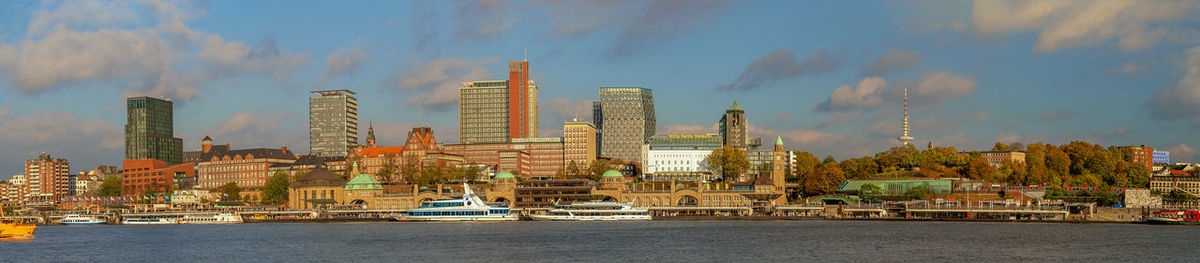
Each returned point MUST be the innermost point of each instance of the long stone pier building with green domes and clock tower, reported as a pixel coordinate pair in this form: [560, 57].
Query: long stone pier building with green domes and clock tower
[323, 189]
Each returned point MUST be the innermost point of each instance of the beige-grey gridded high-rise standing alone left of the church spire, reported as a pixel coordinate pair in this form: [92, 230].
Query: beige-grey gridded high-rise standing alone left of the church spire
[333, 123]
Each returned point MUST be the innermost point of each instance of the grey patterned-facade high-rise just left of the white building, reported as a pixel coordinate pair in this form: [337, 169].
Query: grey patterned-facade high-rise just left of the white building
[626, 122]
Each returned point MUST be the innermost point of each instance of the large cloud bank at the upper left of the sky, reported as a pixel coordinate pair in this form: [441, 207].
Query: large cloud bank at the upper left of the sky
[80, 43]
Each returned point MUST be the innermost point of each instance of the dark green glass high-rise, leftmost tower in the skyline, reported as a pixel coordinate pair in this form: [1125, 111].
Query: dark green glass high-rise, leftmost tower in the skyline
[151, 130]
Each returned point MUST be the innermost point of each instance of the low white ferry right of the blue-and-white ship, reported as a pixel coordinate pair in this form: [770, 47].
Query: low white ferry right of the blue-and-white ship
[596, 212]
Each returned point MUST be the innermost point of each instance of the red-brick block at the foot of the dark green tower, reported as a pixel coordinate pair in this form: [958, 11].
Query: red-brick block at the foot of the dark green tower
[155, 176]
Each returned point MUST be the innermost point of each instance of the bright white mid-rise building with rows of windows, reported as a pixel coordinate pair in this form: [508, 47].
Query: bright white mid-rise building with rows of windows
[680, 157]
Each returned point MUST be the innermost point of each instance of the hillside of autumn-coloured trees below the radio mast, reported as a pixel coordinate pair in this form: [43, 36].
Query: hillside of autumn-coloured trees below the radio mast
[1077, 164]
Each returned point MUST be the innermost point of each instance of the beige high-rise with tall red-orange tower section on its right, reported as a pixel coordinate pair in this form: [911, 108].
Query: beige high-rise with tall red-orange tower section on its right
[499, 111]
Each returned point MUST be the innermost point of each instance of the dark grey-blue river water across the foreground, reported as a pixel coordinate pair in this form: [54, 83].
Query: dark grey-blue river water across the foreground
[613, 242]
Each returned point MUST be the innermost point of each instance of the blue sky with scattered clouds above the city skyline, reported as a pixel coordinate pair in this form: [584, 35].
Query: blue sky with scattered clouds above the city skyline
[827, 77]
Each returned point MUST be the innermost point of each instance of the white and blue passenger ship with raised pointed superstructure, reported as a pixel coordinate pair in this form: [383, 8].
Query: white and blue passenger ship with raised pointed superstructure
[469, 208]
